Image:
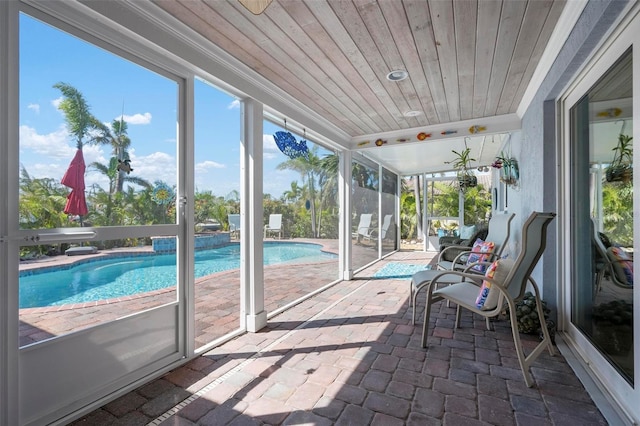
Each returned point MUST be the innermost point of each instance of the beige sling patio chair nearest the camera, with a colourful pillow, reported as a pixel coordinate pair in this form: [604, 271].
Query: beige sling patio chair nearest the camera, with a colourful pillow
[505, 283]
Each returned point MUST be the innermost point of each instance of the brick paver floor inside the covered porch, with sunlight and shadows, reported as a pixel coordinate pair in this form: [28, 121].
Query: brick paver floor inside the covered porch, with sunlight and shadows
[349, 355]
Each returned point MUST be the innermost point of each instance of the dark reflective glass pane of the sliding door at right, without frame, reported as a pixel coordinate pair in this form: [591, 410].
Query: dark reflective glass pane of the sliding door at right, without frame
[603, 240]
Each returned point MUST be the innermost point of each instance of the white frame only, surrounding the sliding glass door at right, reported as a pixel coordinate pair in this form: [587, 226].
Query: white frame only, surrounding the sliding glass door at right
[612, 385]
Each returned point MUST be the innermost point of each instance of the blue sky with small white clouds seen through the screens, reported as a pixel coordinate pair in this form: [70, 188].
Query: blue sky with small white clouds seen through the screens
[114, 87]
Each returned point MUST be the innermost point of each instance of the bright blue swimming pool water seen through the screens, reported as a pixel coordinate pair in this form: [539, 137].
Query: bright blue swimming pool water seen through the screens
[122, 276]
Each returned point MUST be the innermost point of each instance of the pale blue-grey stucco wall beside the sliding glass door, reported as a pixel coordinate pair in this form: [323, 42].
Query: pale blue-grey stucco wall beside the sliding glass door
[537, 149]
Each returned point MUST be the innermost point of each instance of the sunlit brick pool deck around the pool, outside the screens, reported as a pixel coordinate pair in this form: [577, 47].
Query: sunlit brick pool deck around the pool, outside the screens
[217, 296]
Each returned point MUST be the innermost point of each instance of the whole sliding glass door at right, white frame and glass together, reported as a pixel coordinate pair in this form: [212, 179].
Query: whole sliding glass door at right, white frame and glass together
[601, 304]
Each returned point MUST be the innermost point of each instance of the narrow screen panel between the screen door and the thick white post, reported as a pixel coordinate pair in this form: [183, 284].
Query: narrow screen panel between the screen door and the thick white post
[216, 273]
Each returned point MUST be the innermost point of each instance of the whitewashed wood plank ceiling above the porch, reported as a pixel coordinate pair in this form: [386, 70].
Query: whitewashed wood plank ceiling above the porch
[466, 59]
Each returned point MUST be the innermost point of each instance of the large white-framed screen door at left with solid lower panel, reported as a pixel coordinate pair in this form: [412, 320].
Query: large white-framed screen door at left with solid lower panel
[99, 221]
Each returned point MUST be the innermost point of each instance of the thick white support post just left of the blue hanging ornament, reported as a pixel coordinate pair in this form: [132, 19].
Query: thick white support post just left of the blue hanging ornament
[251, 212]
